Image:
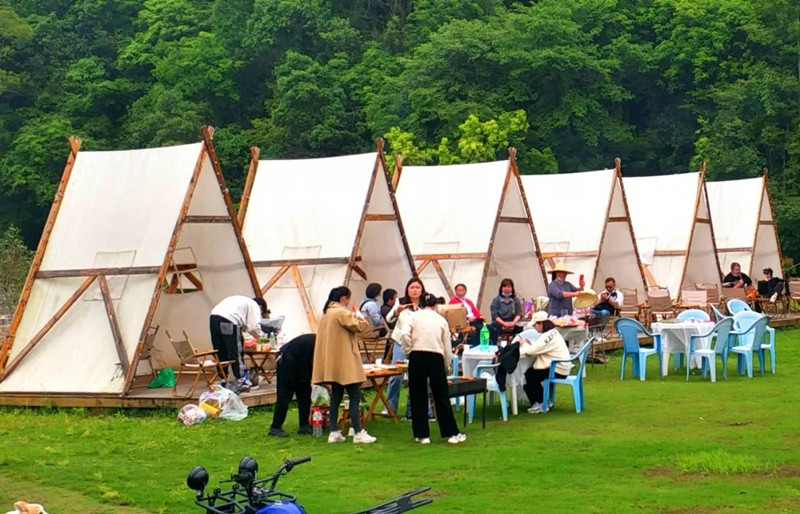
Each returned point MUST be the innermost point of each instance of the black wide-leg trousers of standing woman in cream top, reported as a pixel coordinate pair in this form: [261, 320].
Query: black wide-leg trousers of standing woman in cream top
[424, 367]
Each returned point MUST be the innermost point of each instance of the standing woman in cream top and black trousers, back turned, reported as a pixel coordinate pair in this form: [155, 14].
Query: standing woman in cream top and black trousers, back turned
[426, 341]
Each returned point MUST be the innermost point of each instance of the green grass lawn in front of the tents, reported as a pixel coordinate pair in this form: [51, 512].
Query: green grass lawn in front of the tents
[653, 446]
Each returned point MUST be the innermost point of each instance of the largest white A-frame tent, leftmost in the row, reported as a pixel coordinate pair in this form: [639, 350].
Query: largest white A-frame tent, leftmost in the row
[134, 239]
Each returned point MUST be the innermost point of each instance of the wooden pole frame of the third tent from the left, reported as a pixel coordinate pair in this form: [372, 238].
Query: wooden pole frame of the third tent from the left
[425, 260]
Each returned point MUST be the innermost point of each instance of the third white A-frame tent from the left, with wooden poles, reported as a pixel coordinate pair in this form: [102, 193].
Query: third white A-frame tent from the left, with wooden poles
[470, 224]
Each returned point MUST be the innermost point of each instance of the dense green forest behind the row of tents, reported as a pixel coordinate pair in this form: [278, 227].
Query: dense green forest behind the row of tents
[663, 84]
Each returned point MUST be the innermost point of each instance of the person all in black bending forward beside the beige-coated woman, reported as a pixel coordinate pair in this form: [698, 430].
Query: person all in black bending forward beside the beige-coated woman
[295, 360]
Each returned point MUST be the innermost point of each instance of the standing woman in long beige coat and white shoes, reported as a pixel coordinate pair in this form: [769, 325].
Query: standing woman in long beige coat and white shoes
[337, 361]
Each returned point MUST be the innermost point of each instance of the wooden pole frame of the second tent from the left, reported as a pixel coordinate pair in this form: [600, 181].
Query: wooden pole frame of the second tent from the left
[353, 260]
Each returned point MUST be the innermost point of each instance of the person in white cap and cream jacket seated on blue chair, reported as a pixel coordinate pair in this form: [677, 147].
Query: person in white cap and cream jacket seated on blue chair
[547, 347]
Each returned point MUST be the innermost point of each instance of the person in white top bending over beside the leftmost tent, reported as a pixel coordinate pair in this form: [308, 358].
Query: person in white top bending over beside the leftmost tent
[228, 318]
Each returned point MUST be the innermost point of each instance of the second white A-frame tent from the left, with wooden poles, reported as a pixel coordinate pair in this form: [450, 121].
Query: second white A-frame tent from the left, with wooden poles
[315, 224]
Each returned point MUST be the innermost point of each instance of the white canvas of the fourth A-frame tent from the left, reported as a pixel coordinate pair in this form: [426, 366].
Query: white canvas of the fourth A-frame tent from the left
[582, 219]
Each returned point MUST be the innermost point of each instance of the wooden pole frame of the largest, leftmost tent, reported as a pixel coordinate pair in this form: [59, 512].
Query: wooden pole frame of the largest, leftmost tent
[102, 274]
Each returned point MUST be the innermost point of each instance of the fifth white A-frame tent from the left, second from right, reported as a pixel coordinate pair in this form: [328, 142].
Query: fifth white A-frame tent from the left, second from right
[673, 230]
